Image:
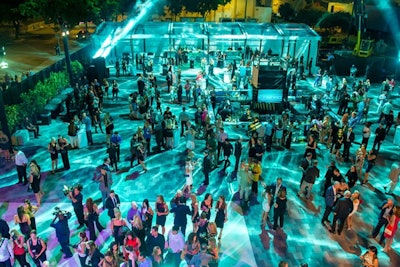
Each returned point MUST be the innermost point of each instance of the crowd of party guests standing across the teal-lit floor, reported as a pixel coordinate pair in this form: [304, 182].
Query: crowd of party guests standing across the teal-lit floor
[139, 239]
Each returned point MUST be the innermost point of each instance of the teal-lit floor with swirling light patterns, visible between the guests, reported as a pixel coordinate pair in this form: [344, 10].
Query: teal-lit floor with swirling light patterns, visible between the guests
[244, 241]
